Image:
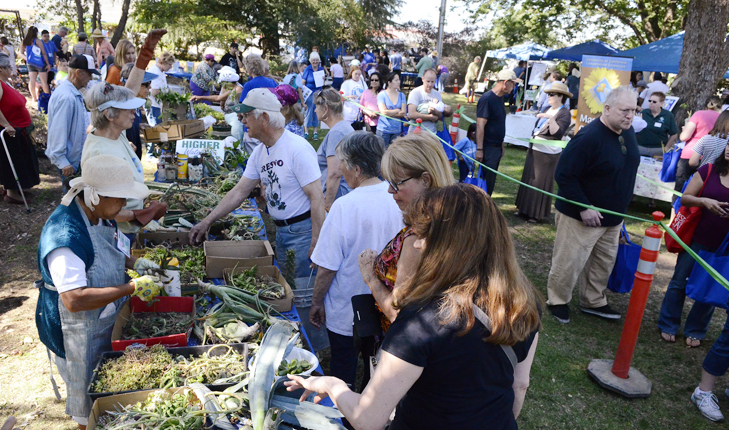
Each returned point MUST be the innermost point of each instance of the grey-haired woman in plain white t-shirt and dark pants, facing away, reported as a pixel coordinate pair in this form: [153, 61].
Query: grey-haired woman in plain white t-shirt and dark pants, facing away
[365, 218]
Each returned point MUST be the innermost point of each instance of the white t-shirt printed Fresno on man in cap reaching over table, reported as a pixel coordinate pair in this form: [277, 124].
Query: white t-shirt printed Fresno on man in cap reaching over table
[285, 168]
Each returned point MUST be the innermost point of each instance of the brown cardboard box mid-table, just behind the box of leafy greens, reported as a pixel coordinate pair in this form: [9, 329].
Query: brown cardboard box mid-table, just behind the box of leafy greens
[227, 254]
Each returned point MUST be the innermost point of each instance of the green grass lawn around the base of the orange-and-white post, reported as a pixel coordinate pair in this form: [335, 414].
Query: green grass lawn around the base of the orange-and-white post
[561, 395]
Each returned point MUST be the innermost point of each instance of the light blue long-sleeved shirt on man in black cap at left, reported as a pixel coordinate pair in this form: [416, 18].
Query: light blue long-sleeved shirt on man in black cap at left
[67, 122]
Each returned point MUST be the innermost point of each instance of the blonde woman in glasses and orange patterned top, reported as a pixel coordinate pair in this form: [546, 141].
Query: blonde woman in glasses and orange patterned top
[412, 164]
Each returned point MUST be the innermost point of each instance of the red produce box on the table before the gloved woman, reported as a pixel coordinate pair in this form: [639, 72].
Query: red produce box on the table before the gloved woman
[160, 304]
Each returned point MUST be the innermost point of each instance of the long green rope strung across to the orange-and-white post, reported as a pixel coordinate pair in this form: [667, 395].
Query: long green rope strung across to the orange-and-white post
[714, 274]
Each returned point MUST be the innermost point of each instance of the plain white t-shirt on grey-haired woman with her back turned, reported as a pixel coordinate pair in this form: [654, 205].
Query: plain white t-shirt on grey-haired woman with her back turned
[366, 218]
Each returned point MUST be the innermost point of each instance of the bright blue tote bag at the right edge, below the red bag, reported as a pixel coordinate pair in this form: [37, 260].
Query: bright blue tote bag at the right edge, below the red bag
[701, 286]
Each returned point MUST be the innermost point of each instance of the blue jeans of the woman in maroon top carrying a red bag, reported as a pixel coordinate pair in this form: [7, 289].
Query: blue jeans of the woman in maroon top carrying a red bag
[700, 315]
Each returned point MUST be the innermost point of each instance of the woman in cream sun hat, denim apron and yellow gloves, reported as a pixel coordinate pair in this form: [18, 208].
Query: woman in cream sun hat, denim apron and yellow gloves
[82, 257]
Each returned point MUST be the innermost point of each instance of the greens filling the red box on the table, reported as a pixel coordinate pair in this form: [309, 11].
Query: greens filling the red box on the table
[144, 325]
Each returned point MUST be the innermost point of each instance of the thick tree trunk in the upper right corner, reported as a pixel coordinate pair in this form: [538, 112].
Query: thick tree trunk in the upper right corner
[705, 56]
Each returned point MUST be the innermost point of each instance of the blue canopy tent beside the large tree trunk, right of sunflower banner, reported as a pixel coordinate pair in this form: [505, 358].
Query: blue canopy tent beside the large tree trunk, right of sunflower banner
[660, 56]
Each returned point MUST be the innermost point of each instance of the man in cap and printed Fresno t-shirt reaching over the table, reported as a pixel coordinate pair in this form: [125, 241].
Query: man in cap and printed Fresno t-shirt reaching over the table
[286, 165]
